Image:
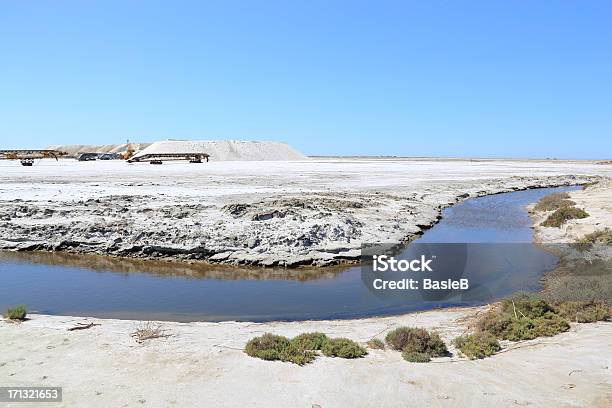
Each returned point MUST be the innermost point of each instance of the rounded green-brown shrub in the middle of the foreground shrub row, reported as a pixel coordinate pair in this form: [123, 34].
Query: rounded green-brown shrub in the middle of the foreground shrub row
[411, 339]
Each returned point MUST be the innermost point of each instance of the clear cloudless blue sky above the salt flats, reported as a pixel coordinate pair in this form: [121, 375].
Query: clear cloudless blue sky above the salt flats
[428, 78]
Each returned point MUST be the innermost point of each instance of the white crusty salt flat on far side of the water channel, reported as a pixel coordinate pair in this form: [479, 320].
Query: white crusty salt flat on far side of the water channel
[315, 211]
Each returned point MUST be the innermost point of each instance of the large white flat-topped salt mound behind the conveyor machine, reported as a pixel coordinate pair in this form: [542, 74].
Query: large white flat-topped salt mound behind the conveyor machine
[227, 150]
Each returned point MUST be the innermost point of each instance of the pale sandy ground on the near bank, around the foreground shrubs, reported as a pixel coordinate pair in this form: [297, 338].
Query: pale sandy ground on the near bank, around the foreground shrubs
[202, 364]
